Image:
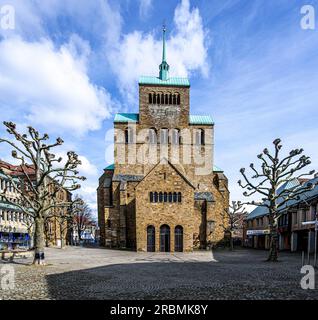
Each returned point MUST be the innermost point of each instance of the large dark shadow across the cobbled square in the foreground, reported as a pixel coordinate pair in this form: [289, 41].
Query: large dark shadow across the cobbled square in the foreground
[229, 278]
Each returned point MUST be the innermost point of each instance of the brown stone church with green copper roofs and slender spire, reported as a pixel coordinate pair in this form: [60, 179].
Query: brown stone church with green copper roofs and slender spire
[163, 192]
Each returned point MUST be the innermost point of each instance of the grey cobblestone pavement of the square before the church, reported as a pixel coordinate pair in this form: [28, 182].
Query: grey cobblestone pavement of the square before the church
[95, 273]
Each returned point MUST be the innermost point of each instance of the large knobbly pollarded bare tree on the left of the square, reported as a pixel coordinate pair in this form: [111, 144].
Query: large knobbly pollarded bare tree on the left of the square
[41, 177]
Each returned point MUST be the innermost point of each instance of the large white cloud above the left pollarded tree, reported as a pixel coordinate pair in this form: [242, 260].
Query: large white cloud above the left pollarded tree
[50, 86]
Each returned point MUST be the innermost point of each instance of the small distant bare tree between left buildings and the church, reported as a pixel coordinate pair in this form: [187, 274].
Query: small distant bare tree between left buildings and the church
[83, 217]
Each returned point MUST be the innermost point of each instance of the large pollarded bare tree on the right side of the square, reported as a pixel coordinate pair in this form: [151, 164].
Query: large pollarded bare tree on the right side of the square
[274, 172]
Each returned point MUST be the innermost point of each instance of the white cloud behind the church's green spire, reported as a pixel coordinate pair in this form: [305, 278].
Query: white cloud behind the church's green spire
[140, 53]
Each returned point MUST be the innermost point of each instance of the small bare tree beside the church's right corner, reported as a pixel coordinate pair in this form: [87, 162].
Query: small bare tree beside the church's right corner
[234, 217]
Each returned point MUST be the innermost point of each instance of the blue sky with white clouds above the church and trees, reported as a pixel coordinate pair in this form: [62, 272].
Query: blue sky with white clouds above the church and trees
[69, 66]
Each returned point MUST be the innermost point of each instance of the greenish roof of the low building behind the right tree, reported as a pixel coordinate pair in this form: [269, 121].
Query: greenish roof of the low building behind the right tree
[294, 183]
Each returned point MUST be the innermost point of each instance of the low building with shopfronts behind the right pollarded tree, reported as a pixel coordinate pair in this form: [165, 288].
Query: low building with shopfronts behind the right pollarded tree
[296, 222]
